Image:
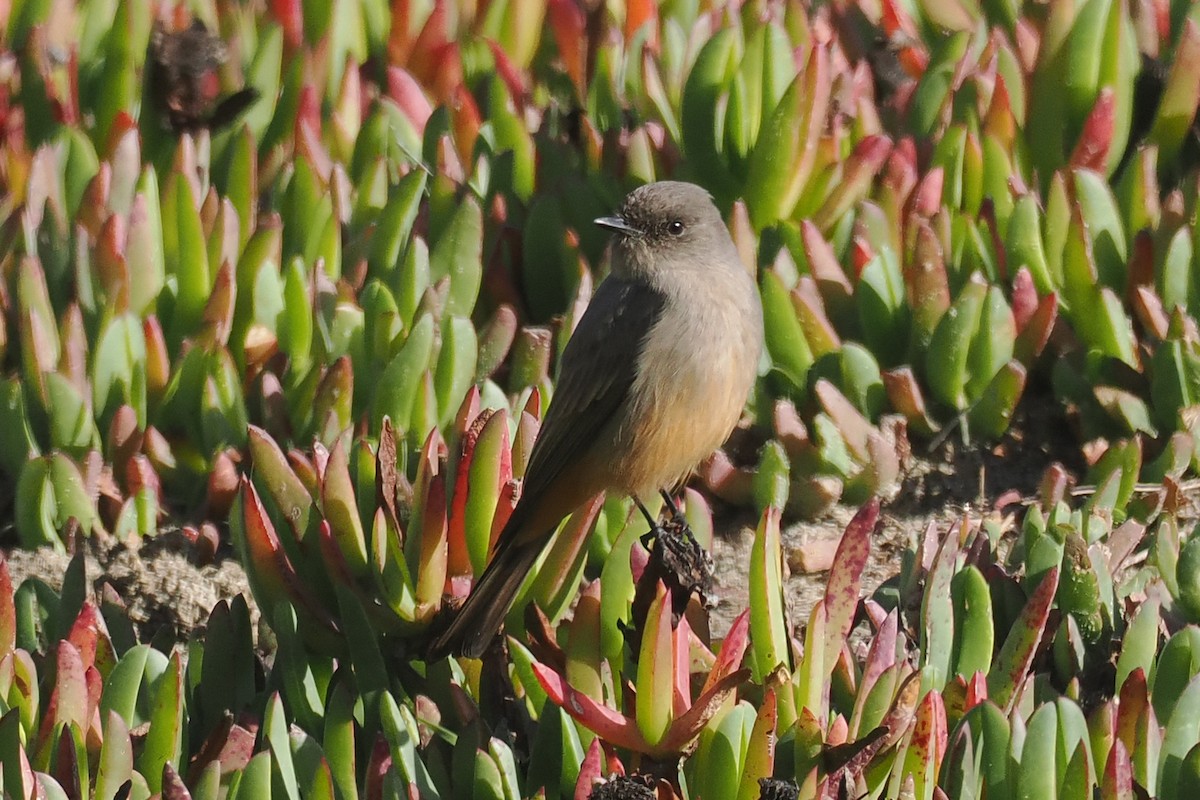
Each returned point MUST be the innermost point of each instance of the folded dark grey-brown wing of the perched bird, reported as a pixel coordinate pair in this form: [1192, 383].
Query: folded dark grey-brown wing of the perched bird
[598, 369]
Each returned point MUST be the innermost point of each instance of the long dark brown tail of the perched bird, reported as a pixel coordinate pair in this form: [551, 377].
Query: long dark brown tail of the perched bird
[476, 624]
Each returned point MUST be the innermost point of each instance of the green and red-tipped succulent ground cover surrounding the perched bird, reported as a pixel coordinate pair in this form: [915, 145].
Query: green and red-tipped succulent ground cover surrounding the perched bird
[293, 278]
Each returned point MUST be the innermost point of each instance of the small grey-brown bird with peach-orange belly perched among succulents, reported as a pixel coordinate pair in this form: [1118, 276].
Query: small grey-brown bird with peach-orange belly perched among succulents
[652, 381]
